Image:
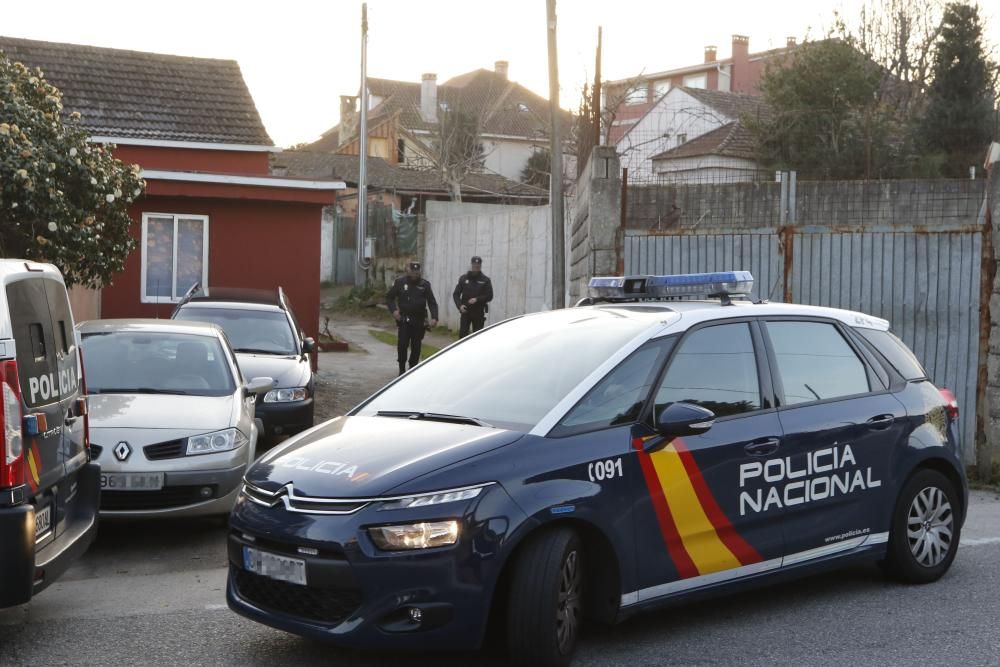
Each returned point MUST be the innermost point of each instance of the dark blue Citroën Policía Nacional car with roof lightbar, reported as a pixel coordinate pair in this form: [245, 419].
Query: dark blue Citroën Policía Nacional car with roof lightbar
[589, 463]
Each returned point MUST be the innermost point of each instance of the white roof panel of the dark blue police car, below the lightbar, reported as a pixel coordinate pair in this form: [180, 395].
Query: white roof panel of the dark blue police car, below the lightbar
[690, 312]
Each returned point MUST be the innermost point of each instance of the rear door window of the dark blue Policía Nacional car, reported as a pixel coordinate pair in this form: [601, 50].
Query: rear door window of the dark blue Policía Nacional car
[815, 363]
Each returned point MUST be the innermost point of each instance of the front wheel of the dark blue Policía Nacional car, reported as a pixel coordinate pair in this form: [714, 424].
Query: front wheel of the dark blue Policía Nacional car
[545, 608]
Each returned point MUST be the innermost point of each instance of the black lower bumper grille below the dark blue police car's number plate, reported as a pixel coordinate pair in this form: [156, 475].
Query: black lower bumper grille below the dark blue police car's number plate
[330, 606]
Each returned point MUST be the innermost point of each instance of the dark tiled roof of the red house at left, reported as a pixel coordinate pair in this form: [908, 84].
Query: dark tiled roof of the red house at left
[147, 95]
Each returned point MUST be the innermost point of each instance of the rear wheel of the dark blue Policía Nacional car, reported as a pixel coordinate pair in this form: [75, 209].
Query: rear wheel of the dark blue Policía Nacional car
[926, 529]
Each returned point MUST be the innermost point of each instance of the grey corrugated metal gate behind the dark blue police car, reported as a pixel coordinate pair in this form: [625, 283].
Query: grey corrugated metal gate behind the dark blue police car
[925, 283]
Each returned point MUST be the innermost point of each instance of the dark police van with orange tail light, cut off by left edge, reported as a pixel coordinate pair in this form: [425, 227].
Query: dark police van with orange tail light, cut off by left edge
[49, 489]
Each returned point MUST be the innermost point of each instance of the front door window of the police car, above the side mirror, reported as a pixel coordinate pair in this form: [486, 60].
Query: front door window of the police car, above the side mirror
[715, 368]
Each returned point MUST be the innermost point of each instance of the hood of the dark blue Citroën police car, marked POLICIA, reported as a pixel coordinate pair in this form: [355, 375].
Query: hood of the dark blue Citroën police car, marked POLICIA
[352, 457]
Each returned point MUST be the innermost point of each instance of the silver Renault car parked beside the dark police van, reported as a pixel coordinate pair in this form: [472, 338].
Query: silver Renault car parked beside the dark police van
[171, 419]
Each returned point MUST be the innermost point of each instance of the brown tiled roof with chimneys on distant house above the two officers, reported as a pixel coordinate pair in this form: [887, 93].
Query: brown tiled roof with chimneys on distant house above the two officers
[504, 107]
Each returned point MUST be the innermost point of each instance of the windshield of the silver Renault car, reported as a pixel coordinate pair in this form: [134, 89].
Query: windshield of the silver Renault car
[125, 362]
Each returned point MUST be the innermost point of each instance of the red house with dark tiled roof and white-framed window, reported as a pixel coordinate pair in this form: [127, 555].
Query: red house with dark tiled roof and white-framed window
[211, 212]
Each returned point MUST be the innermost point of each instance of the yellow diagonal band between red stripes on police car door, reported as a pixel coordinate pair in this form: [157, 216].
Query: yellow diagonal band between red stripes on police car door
[701, 541]
